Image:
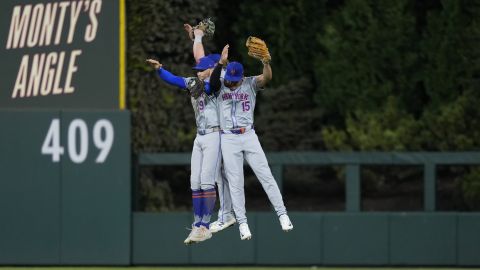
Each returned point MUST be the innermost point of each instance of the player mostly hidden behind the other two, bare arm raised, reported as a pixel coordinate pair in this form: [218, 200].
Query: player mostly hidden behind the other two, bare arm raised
[226, 217]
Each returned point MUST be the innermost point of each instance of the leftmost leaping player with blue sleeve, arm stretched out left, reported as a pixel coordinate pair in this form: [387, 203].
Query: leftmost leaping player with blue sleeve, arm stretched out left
[206, 154]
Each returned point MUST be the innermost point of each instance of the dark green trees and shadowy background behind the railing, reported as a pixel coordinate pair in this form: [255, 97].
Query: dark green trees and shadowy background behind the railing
[358, 75]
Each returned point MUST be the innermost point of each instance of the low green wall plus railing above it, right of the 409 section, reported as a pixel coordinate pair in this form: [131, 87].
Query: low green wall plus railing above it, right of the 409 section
[352, 237]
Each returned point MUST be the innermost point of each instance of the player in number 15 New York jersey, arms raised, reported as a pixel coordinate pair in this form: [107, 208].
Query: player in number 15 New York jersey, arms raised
[236, 102]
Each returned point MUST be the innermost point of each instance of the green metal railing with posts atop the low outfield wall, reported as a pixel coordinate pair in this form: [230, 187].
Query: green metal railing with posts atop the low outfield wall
[352, 162]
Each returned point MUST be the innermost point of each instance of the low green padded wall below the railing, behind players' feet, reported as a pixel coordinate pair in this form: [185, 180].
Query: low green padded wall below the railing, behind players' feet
[354, 239]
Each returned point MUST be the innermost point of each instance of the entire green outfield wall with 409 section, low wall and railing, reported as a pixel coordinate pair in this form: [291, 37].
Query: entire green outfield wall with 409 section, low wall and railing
[73, 207]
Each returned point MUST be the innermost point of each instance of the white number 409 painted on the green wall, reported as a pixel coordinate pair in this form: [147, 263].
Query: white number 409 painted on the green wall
[51, 144]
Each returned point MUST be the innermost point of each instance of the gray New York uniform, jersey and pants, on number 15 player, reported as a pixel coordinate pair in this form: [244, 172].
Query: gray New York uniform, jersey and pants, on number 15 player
[239, 141]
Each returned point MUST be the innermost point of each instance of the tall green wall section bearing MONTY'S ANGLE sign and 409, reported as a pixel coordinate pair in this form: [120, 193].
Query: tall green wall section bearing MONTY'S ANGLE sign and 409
[65, 180]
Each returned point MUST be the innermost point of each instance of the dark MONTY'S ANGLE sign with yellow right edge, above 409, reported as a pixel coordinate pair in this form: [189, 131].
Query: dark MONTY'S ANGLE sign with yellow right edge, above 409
[61, 54]
